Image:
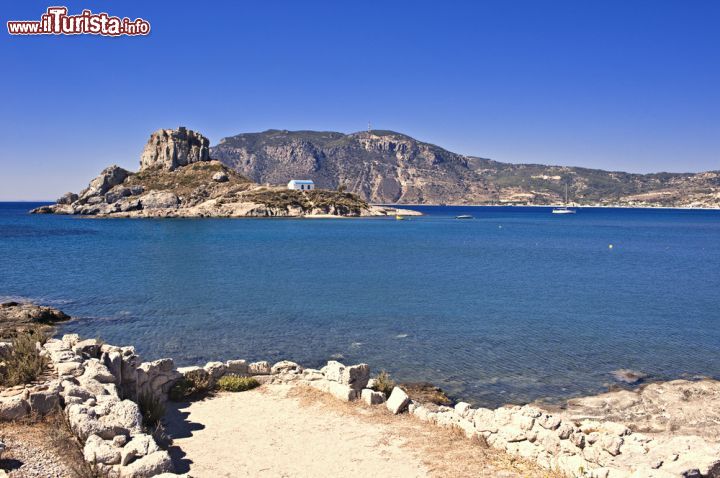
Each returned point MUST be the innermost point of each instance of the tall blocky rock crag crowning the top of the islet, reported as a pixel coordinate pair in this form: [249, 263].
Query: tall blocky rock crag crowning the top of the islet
[171, 148]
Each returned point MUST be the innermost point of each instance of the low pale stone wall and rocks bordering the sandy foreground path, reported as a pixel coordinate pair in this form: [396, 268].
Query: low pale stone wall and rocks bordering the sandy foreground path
[661, 430]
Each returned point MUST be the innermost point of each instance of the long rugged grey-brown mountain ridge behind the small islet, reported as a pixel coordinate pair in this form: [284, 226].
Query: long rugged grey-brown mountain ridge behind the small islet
[389, 167]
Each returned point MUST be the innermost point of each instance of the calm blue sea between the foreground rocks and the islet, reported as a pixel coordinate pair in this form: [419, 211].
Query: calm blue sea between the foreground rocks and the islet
[513, 306]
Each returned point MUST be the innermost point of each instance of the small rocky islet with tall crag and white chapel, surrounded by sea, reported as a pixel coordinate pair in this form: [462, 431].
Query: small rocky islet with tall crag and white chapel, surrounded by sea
[177, 178]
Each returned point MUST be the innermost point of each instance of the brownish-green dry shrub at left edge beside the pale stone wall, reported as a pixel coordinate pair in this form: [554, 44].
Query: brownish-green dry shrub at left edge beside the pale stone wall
[25, 363]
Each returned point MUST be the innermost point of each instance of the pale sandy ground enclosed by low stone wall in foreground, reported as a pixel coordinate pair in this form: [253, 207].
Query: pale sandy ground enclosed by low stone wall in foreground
[278, 430]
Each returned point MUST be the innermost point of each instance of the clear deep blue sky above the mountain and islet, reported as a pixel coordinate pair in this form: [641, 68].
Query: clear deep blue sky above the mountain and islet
[625, 85]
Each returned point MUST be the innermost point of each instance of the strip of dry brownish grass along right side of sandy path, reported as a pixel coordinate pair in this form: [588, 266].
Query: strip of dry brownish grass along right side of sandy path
[445, 452]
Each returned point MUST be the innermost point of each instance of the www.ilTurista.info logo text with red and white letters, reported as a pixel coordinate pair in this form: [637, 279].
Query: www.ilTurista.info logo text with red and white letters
[56, 21]
